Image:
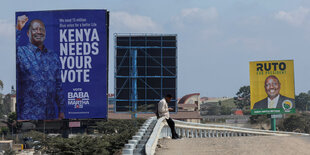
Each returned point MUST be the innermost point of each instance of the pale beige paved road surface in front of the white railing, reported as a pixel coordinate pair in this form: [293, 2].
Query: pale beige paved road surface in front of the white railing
[258, 145]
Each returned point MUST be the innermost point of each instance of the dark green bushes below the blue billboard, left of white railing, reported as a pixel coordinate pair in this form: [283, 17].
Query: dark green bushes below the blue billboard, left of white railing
[114, 134]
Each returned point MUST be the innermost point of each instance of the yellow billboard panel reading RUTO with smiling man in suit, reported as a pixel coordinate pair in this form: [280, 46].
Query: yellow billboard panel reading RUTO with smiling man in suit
[272, 87]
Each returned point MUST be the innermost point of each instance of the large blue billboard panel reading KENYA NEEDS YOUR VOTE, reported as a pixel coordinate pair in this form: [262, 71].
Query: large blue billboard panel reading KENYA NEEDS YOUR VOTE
[61, 64]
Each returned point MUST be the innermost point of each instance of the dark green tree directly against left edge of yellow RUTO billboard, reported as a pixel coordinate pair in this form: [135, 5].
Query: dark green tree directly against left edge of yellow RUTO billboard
[242, 100]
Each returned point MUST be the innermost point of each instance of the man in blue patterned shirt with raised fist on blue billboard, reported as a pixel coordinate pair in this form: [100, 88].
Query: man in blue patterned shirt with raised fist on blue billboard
[39, 92]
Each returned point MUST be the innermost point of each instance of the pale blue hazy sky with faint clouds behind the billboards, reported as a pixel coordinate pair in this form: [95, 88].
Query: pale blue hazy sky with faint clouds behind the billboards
[216, 38]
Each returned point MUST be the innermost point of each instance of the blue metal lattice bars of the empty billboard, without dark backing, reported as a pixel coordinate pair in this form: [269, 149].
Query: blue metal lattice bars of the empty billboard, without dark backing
[133, 74]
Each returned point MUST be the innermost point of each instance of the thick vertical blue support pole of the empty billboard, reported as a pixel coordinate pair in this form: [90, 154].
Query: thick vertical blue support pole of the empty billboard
[133, 73]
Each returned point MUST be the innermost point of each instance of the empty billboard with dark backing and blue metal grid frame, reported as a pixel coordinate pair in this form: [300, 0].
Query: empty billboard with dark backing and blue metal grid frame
[145, 71]
